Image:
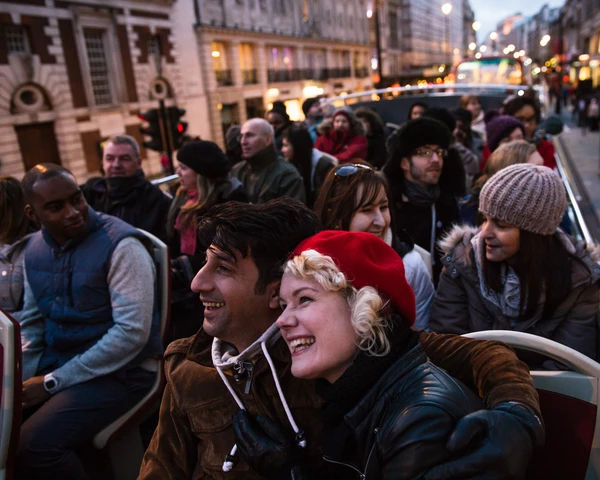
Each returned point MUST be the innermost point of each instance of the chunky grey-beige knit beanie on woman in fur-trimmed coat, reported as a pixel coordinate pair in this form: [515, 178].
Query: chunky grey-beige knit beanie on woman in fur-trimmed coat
[527, 196]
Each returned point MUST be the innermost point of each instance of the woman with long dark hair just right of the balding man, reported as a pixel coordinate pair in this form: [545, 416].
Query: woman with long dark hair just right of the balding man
[313, 165]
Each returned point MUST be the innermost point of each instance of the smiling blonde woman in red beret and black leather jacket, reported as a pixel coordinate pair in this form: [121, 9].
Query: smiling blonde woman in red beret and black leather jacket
[346, 316]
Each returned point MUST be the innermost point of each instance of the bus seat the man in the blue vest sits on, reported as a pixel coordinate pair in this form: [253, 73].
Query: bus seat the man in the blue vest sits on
[122, 436]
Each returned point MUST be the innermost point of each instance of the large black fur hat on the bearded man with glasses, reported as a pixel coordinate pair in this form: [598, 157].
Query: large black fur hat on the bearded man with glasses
[416, 133]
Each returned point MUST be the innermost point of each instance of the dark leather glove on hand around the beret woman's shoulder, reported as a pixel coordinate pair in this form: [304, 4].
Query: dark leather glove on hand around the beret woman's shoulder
[494, 444]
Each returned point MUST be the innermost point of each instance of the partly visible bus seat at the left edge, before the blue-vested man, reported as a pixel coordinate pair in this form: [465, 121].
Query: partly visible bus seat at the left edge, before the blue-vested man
[11, 388]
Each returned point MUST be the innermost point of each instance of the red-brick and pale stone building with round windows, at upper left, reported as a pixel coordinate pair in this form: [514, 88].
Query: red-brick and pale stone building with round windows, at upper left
[75, 72]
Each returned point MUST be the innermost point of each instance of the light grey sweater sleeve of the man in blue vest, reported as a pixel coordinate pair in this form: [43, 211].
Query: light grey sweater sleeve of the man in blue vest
[131, 280]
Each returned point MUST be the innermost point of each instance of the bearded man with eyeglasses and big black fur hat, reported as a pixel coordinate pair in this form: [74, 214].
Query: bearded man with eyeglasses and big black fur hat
[422, 207]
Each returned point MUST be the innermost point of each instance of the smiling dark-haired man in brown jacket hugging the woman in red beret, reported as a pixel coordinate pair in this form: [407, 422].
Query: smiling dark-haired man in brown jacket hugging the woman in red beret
[239, 288]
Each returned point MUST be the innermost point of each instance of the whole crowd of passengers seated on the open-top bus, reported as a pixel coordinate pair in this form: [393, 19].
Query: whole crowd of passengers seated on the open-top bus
[320, 271]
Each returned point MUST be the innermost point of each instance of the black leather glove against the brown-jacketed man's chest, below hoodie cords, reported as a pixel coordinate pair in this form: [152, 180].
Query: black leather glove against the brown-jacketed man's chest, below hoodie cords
[266, 447]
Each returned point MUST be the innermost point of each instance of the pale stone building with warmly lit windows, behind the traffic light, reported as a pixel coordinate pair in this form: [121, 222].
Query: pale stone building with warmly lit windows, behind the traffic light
[253, 52]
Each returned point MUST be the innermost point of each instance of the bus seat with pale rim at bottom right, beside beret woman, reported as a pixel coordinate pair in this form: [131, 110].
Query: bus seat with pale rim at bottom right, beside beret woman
[569, 404]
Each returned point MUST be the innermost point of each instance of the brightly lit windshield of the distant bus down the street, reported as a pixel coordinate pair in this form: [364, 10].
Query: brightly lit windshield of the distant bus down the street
[500, 70]
